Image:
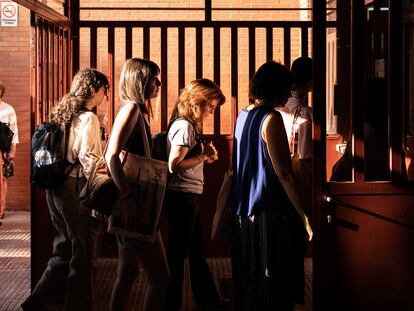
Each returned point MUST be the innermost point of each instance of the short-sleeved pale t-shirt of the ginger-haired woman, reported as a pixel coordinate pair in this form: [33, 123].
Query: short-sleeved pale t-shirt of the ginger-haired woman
[182, 133]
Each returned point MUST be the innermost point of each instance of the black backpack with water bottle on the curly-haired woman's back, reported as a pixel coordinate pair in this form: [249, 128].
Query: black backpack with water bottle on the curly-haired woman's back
[51, 137]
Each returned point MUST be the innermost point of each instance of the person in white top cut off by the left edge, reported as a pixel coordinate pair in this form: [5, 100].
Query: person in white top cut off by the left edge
[8, 116]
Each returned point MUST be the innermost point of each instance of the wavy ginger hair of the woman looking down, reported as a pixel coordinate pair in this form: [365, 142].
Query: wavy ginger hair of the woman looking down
[194, 98]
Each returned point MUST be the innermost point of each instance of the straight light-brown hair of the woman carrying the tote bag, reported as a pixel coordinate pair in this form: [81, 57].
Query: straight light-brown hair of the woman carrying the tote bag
[135, 81]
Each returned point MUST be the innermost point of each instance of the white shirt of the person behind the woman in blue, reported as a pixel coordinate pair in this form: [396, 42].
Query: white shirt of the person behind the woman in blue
[303, 125]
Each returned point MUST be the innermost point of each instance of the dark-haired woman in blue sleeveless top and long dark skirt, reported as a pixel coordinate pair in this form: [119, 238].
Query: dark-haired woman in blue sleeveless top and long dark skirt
[271, 225]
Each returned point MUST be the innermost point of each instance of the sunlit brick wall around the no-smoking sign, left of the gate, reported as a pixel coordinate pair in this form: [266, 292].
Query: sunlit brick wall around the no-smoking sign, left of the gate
[15, 73]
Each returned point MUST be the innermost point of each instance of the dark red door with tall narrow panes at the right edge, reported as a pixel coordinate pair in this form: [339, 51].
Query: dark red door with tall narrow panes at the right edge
[364, 221]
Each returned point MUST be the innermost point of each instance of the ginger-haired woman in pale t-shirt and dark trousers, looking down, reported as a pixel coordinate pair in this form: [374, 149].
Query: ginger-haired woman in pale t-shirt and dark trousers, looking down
[187, 156]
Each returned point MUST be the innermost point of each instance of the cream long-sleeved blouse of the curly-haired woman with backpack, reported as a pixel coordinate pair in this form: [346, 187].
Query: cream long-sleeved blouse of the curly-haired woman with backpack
[84, 142]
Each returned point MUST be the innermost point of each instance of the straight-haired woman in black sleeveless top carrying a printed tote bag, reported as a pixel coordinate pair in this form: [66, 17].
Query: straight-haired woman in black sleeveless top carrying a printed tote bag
[138, 84]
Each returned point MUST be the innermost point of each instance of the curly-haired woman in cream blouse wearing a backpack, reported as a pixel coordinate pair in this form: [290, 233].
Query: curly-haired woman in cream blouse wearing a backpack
[68, 277]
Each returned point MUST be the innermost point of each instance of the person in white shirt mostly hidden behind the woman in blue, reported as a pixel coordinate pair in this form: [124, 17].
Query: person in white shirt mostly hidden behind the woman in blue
[297, 118]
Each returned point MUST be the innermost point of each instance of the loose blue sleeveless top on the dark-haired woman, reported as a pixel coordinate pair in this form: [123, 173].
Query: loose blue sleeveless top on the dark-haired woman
[256, 187]
